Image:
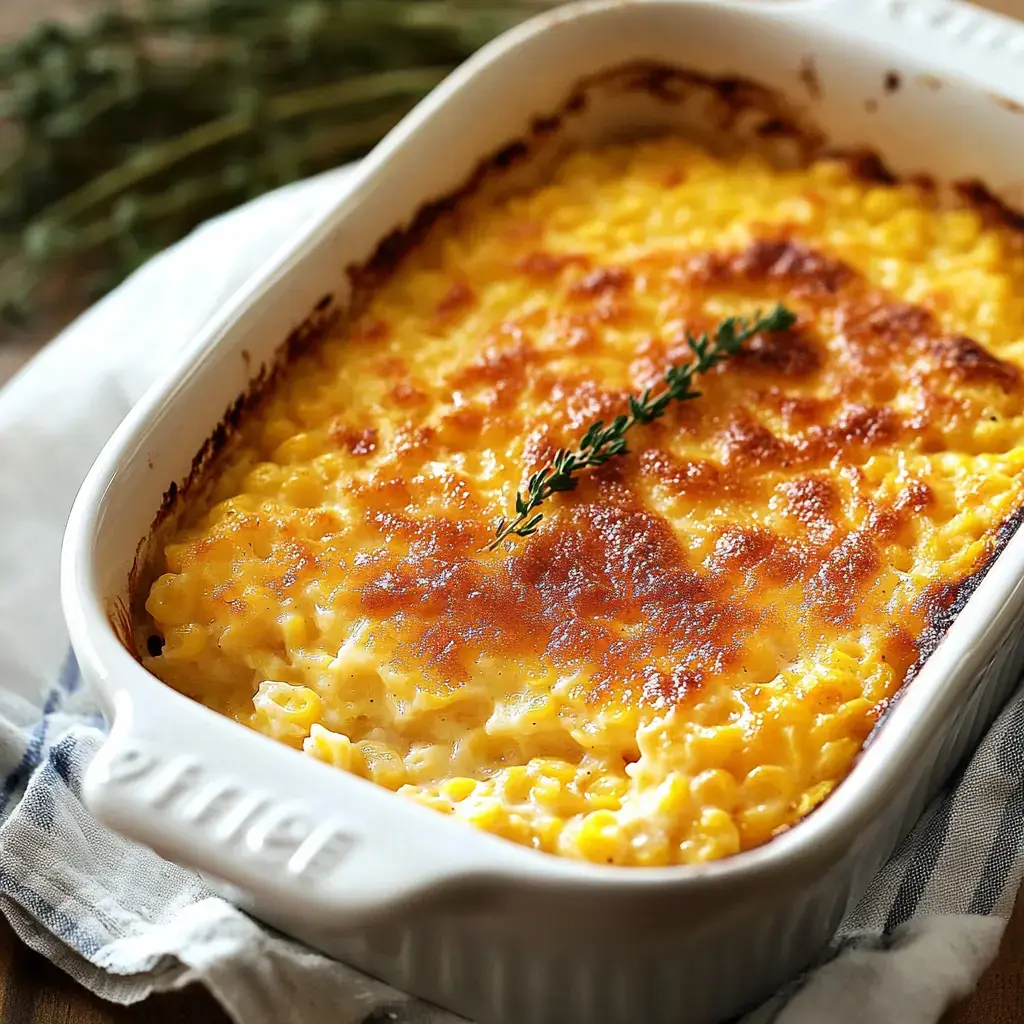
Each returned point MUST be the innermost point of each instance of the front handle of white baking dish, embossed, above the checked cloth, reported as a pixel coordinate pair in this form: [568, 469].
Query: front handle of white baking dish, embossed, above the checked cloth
[288, 835]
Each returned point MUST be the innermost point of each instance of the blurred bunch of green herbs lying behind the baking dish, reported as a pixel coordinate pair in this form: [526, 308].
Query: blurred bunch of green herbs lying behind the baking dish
[120, 135]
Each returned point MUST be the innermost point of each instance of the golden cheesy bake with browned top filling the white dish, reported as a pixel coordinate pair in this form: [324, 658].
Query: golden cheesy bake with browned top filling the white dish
[688, 656]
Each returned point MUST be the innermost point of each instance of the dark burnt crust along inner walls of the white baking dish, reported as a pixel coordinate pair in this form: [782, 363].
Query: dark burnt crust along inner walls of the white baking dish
[667, 84]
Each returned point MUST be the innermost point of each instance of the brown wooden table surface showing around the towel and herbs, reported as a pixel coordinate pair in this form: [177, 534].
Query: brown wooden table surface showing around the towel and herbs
[33, 992]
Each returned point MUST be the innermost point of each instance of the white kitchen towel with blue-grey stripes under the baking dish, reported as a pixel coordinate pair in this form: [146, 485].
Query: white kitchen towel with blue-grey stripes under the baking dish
[125, 923]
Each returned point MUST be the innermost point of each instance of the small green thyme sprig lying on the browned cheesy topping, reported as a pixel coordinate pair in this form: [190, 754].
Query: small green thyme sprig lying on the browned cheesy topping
[603, 443]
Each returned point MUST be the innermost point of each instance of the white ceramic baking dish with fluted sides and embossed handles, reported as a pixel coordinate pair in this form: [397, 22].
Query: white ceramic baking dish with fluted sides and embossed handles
[494, 931]
